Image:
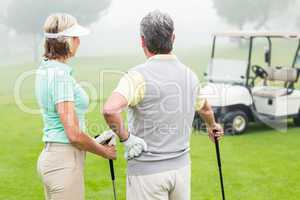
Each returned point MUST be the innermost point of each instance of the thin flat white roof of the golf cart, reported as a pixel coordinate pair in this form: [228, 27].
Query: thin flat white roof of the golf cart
[248, 34]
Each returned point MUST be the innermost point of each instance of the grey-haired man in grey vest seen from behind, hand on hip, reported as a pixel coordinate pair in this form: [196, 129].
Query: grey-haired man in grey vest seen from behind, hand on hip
[161, 96]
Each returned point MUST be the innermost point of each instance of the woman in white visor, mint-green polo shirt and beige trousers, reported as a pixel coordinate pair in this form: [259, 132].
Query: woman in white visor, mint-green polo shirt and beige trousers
[63, 103]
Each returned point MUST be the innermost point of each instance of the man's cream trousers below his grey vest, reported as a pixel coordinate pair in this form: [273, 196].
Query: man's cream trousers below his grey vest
[170, 185]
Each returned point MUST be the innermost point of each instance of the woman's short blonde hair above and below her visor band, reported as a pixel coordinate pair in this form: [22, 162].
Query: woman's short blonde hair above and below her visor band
[58, 48]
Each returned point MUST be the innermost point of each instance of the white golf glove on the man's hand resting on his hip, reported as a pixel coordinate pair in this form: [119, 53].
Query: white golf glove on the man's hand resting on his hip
[134, 146]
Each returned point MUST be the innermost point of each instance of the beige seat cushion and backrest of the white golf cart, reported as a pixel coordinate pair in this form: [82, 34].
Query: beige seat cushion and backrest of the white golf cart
[283, 74]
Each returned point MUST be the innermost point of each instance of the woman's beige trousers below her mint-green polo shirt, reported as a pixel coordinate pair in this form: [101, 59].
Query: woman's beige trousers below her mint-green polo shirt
[61, 169]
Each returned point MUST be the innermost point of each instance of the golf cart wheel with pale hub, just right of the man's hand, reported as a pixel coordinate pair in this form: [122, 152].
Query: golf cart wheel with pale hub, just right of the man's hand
[235, 122]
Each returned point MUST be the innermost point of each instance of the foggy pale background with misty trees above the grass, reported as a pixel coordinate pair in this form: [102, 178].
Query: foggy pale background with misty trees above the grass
[115, 23]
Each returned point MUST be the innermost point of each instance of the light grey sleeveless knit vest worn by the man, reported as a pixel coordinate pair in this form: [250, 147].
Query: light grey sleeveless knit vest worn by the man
[164, 117]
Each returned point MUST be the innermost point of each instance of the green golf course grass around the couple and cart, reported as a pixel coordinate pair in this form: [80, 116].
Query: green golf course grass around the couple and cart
[262, 164]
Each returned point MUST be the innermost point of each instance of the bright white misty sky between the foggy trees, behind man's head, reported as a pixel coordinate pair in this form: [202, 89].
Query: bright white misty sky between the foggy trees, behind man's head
[118, 30]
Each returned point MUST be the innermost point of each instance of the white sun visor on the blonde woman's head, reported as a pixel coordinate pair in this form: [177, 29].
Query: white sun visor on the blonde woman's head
[74, 31]
